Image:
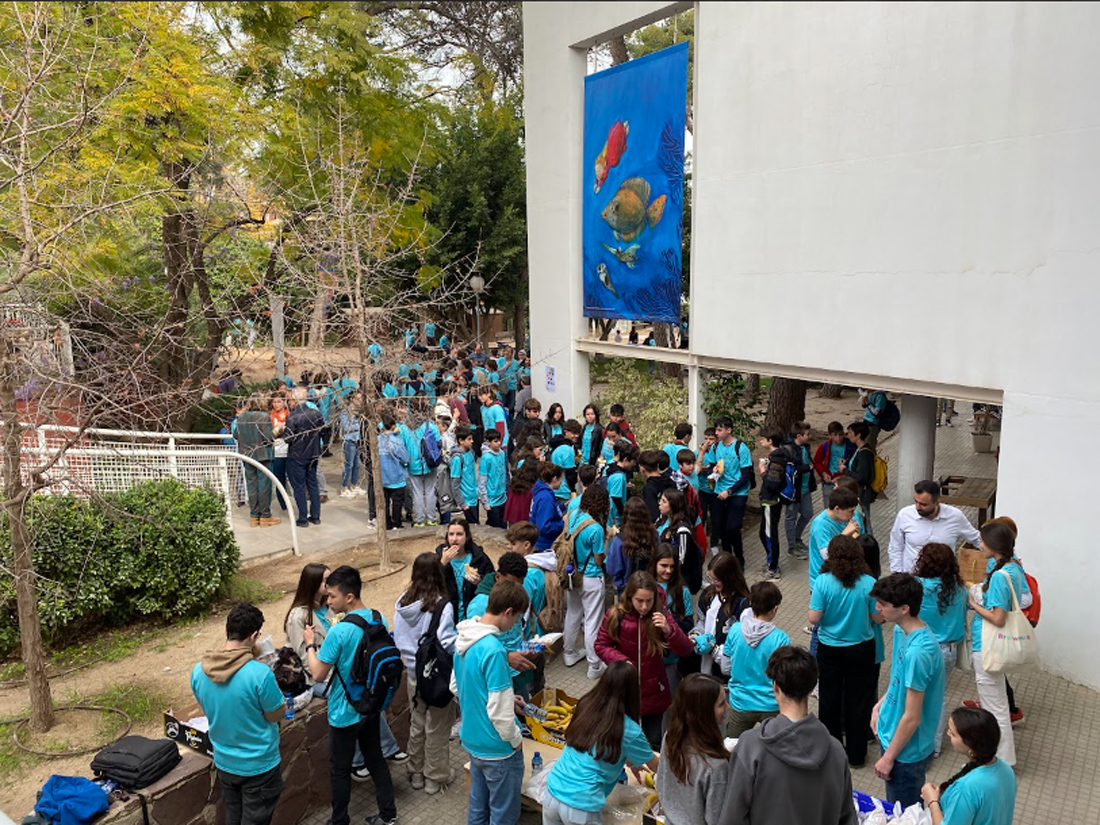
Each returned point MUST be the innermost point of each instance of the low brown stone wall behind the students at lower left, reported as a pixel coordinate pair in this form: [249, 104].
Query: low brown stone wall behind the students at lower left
[191, 794]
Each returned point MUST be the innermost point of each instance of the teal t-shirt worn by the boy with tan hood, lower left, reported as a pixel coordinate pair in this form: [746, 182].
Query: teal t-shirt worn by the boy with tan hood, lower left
[245, 743]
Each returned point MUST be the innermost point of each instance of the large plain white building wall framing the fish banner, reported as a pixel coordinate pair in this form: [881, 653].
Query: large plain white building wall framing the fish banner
[922, 181]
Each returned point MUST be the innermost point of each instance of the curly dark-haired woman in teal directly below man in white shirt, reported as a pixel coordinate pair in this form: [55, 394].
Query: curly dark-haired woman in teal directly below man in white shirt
[943, 610]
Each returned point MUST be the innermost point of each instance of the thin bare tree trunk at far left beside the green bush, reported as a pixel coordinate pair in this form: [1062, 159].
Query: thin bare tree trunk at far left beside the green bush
[16, 493]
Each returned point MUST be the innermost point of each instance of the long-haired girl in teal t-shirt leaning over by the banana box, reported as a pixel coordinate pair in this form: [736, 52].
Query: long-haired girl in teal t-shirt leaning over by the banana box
[603, 736]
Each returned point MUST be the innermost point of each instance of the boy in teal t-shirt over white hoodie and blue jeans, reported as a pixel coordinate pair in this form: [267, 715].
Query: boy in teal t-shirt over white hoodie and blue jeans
[482, 684]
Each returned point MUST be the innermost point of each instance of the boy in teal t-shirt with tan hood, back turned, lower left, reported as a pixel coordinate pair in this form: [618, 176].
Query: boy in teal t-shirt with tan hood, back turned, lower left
[244, 707]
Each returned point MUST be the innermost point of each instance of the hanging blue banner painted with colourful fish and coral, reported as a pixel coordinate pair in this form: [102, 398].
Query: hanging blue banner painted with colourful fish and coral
[634, 181]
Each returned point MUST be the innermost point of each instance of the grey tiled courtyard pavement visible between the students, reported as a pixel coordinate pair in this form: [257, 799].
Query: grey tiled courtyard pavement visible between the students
[1058, 745]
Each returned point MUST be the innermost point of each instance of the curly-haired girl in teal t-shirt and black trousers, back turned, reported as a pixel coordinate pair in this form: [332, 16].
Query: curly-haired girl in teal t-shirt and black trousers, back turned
[842, 607]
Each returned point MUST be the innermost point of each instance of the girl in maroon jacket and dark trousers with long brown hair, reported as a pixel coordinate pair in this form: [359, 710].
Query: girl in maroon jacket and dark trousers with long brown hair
[636, 630]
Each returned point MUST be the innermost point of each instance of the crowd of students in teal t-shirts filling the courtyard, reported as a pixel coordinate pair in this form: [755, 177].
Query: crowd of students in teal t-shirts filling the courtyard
[686, 656]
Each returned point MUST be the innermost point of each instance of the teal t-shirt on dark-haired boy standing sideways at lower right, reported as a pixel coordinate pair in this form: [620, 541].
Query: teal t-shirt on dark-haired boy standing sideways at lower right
[917, 665]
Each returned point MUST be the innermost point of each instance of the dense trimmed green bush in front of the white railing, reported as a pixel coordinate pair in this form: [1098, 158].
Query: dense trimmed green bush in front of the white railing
[158, 549]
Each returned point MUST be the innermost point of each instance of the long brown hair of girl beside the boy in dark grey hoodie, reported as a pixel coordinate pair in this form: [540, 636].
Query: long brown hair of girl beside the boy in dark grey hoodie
[692, 729]
